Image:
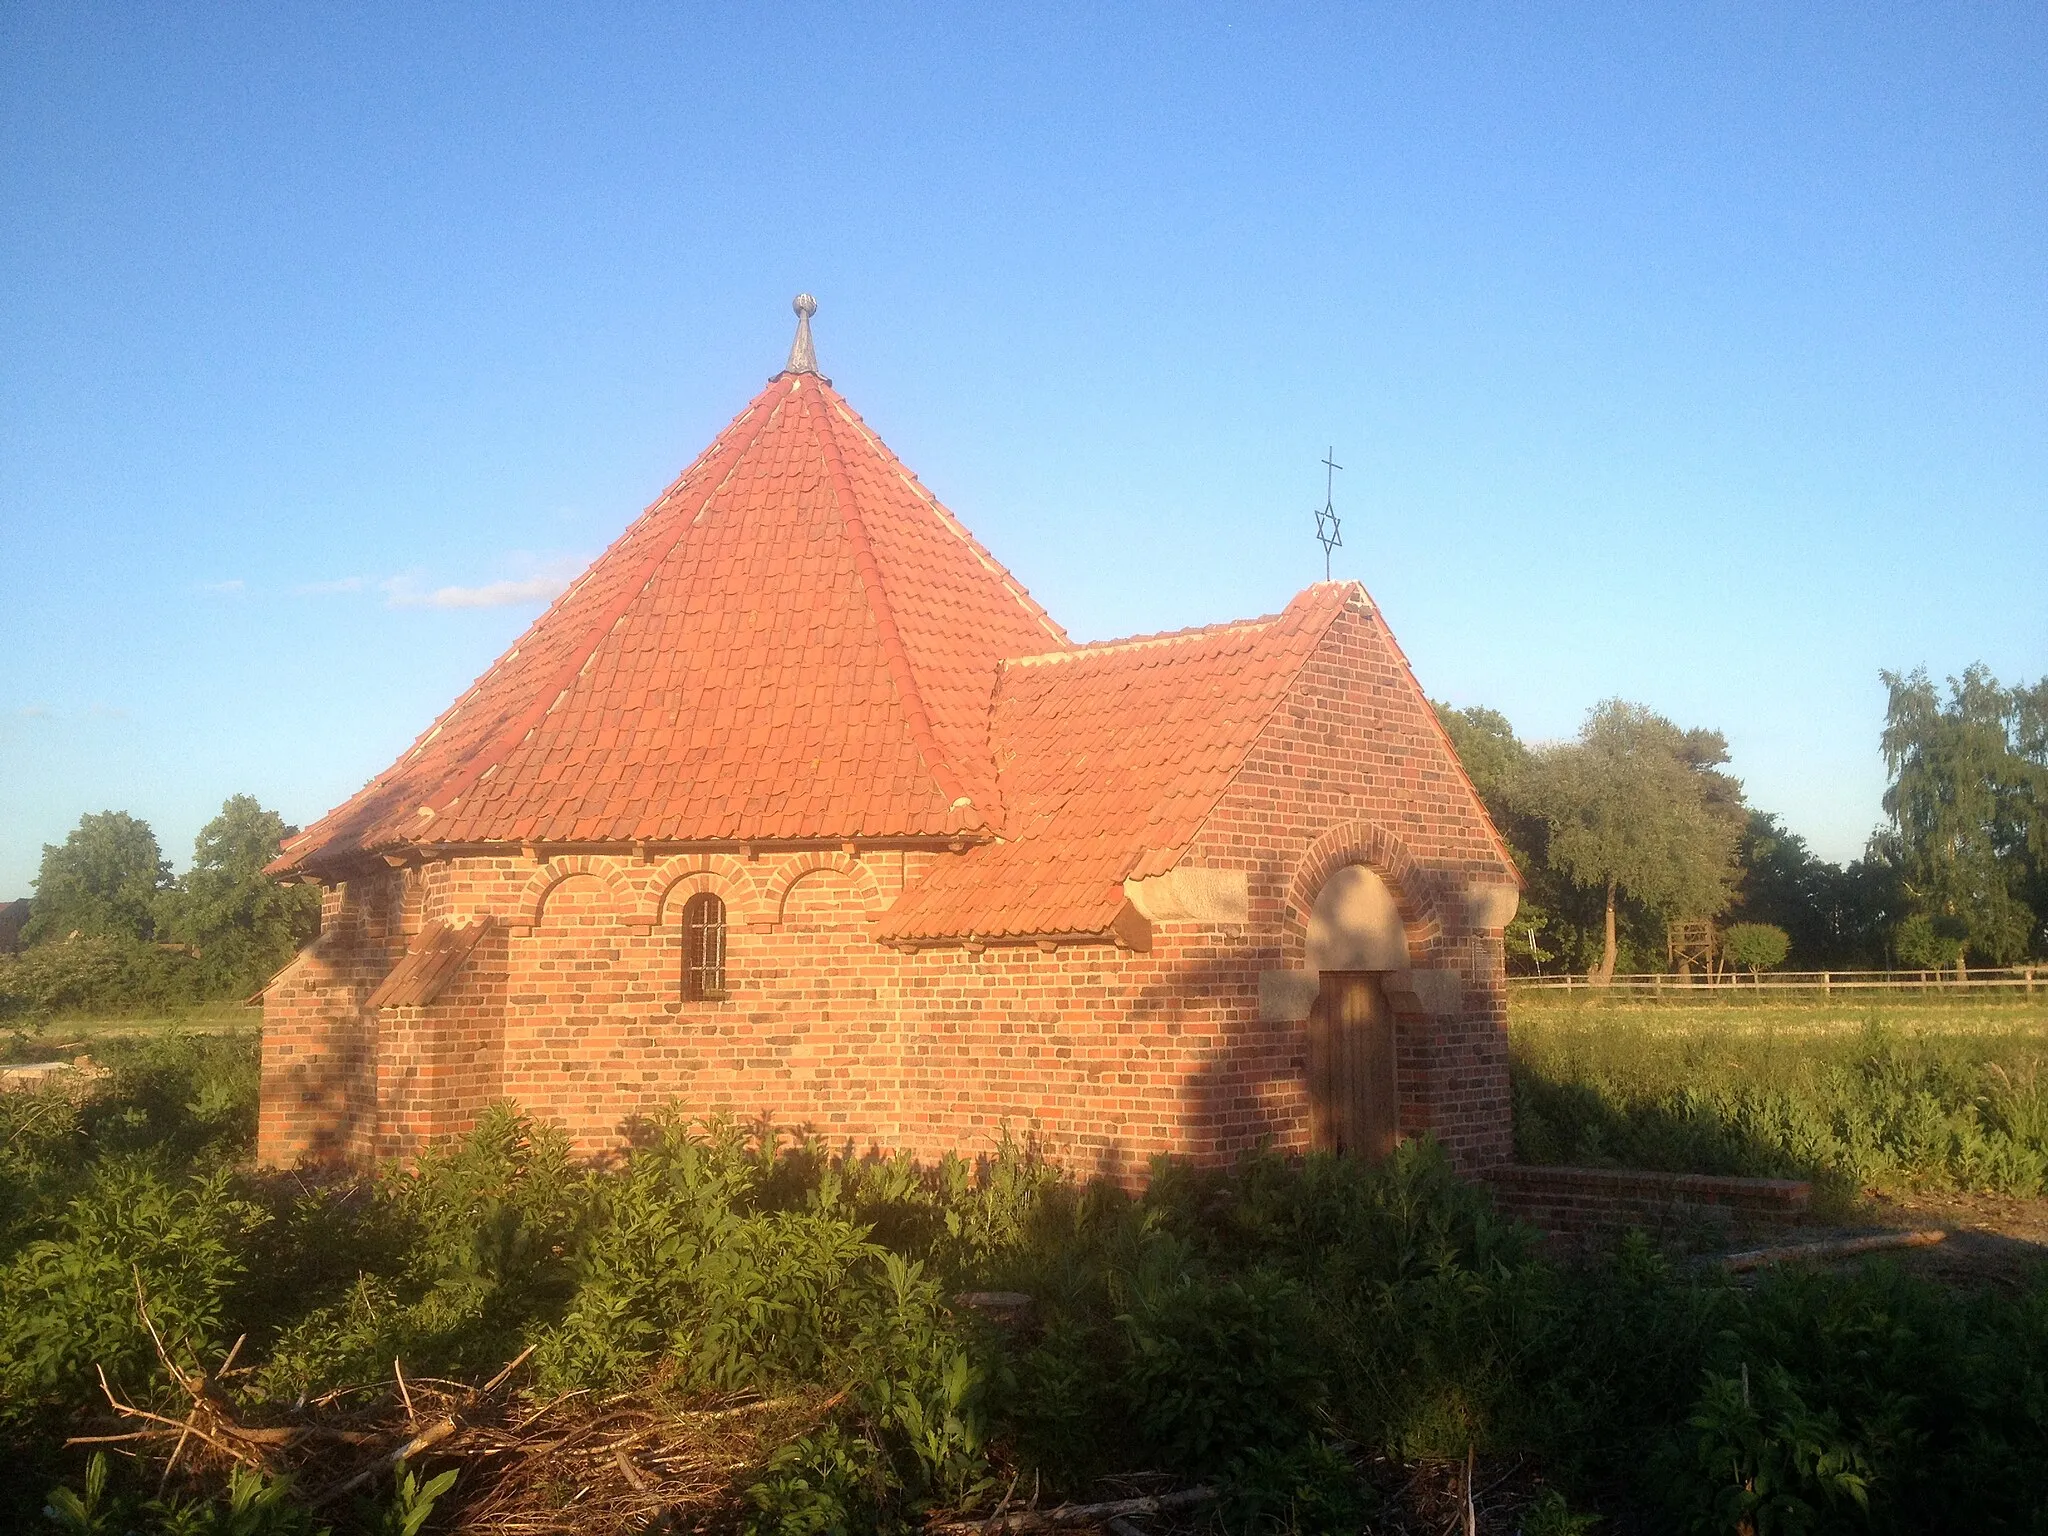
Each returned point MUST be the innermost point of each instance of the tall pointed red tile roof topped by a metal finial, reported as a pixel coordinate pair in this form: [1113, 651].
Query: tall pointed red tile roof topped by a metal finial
[794, 642]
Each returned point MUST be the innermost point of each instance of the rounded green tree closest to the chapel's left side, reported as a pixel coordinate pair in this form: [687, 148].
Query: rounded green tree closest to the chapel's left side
[241, 921]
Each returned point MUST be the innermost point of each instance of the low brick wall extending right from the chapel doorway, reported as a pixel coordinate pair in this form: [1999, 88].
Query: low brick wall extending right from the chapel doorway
[1586, 1201]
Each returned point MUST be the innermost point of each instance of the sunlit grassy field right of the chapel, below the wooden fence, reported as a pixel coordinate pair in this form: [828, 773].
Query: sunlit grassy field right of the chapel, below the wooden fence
[1875, 1093]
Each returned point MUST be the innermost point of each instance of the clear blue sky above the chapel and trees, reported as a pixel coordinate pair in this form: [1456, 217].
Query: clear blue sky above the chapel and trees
[1695, 355]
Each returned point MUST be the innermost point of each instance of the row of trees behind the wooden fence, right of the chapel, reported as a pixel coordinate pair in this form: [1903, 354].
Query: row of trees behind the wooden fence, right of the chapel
[1635, 824]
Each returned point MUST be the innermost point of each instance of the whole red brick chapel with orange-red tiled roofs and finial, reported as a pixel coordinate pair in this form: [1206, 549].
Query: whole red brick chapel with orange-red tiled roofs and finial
[798, 806]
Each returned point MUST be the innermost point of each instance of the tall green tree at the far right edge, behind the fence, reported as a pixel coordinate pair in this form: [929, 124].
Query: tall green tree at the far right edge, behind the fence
[1969, 808]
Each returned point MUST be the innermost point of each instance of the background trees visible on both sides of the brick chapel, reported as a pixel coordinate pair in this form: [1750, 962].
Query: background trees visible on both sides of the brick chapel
[1619, 833]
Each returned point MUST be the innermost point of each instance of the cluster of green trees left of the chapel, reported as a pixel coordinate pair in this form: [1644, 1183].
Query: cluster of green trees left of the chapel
[112, 931]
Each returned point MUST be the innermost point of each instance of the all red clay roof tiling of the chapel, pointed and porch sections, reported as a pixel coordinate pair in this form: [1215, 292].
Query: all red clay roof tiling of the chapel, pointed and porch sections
[798, 642]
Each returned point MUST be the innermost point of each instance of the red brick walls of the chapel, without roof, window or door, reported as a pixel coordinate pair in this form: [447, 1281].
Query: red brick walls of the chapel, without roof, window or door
[1101, 1056]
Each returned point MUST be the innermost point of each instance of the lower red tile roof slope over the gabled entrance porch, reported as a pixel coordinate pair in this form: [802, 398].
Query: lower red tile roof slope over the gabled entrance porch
[1109, 761]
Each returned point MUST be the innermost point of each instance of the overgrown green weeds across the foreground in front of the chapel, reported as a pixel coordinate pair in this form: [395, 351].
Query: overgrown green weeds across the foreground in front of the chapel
[1273, 1328]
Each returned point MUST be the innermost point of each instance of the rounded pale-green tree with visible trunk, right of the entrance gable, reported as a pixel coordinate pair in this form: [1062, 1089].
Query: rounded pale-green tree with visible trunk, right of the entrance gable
[1635, 808]
